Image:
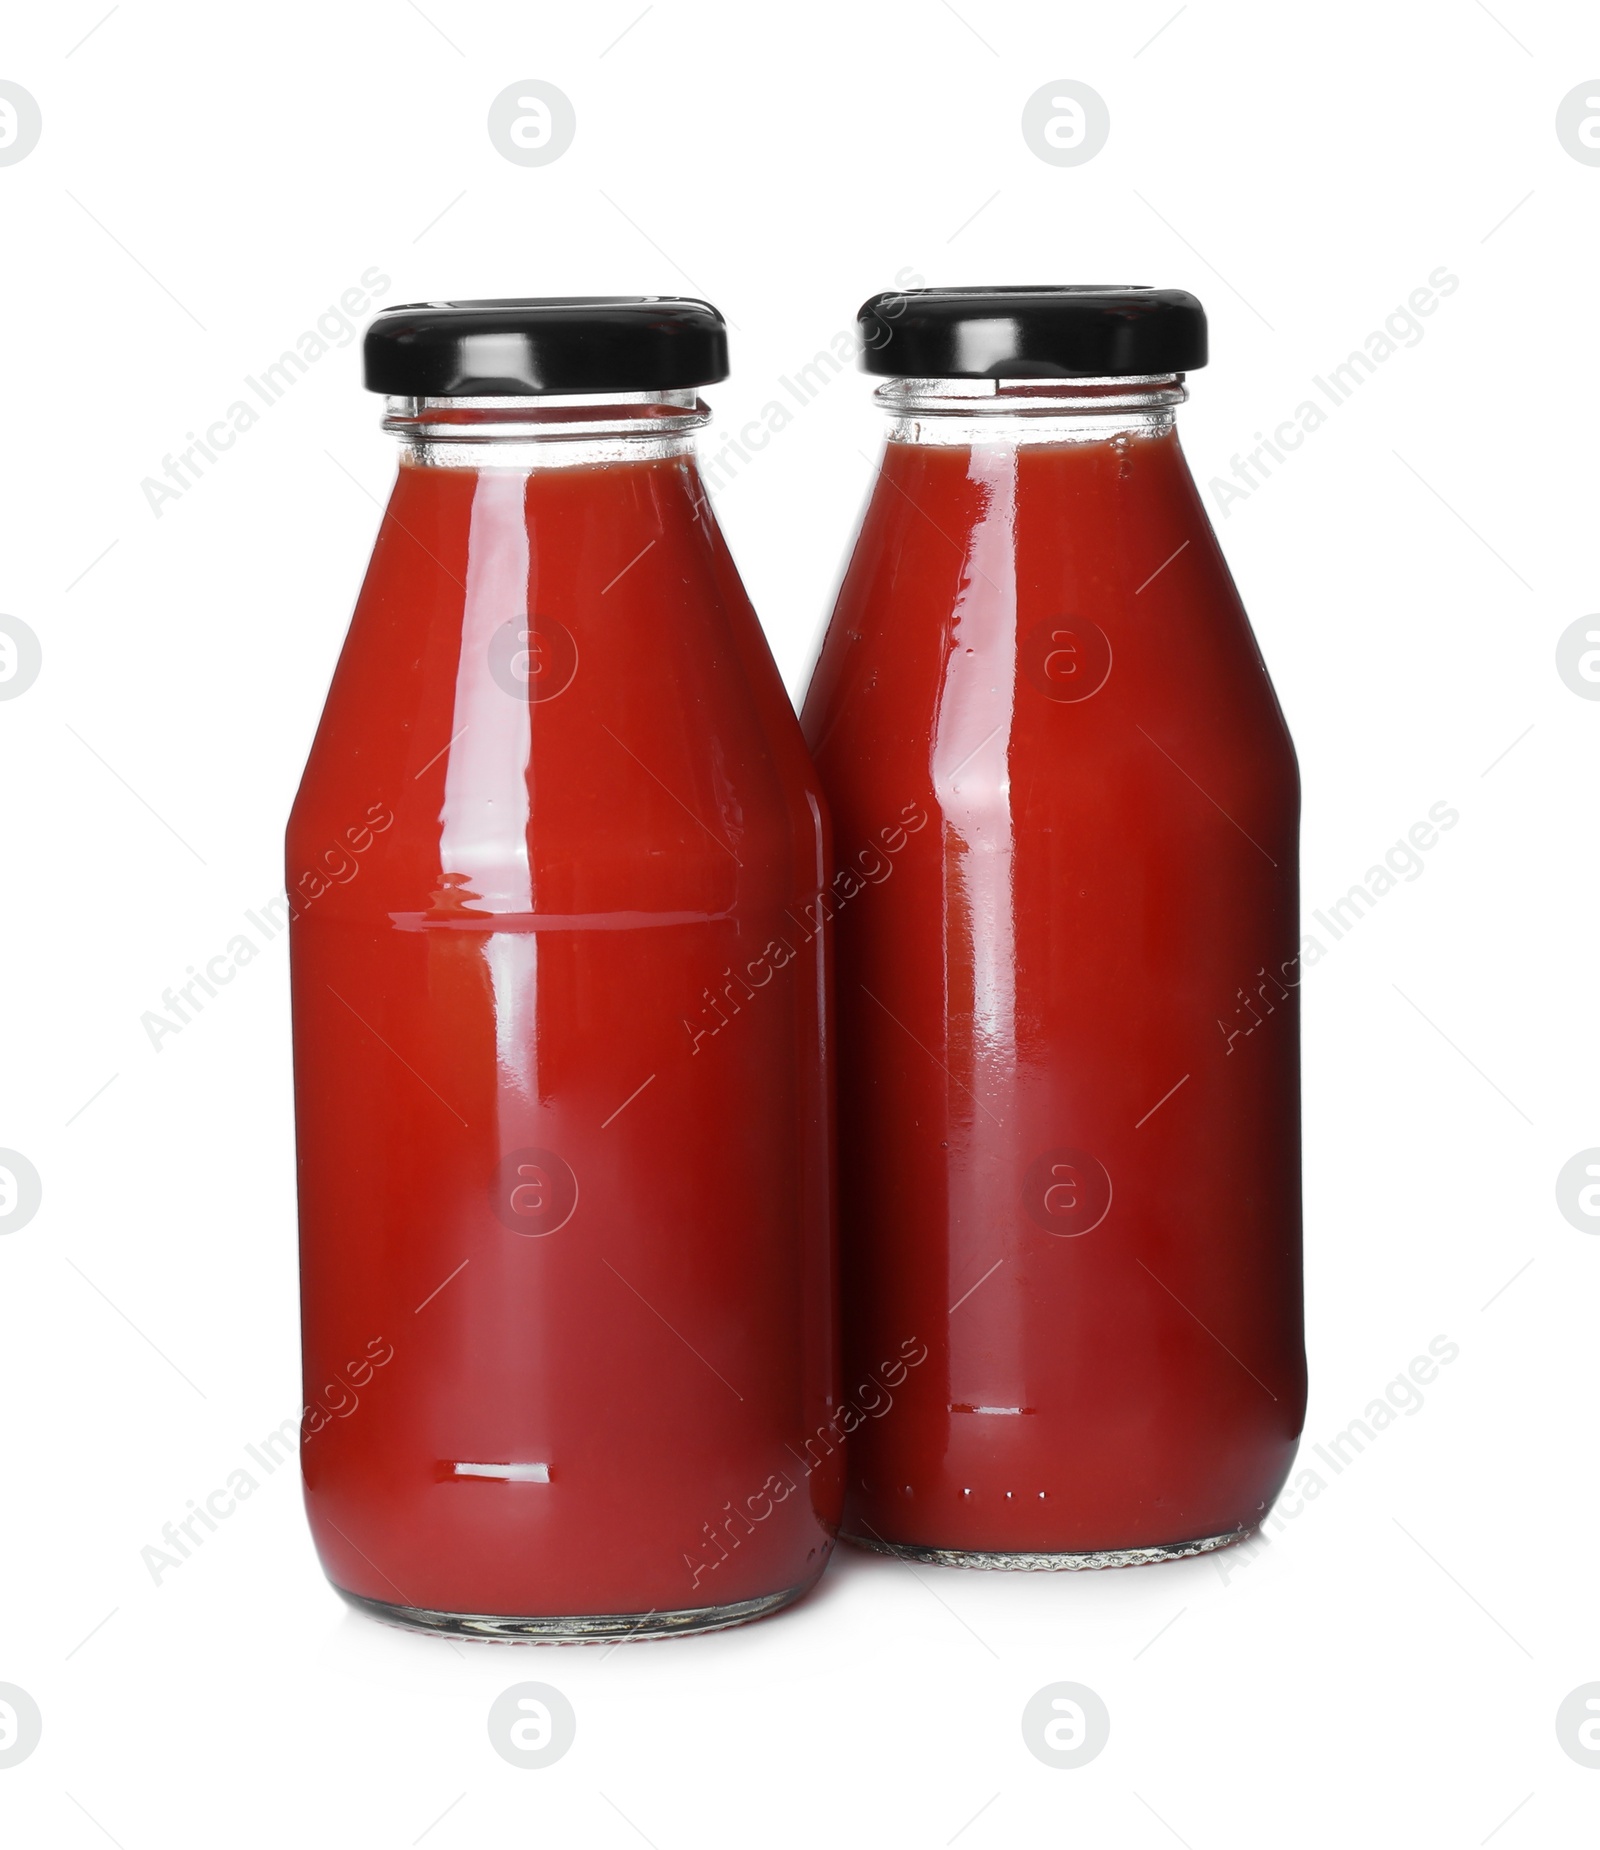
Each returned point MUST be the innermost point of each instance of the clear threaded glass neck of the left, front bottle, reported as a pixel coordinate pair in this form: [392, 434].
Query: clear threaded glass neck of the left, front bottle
[548, 432]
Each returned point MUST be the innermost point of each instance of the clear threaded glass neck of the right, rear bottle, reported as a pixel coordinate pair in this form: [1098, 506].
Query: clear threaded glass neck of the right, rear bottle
[1029, 412]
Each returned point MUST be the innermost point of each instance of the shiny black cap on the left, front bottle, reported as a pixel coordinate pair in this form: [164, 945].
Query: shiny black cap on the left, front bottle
[524, 347]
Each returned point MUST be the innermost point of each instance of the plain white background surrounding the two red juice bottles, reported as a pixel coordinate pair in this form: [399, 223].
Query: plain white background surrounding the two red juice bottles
[208, 182]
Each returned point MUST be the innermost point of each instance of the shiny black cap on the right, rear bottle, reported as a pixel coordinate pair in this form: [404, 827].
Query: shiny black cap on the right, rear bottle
[1081, 332]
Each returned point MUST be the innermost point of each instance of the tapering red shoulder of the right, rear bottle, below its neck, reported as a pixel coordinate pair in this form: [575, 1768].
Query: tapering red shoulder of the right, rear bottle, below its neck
[991, 582]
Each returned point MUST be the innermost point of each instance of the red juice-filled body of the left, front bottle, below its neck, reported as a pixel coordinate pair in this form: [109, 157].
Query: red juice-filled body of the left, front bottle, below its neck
[563, 1104]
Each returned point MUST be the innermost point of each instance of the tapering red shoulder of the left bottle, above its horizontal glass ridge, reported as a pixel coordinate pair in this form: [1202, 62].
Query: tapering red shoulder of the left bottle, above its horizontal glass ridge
[591, 704]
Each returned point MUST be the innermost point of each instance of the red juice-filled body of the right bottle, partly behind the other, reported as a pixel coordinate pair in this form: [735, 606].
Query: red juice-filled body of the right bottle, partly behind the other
[1068, 1013]
